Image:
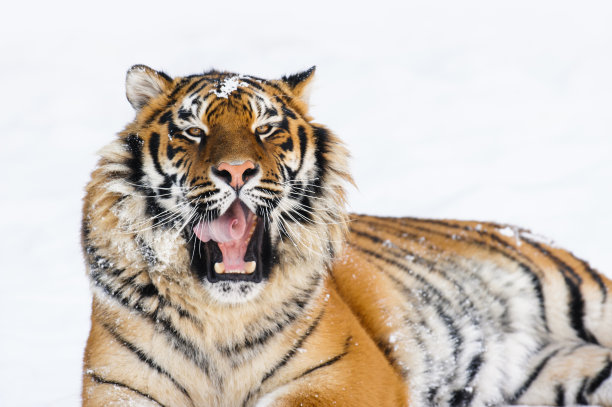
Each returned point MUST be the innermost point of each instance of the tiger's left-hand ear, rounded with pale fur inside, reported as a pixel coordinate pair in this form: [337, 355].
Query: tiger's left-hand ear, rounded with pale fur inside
[143, 83]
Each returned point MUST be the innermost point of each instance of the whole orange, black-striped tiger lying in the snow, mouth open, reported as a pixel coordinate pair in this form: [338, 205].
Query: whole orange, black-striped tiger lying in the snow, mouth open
[226, 270]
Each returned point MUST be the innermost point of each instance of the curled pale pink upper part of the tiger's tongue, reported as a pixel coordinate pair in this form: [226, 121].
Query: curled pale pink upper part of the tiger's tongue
[227, 228]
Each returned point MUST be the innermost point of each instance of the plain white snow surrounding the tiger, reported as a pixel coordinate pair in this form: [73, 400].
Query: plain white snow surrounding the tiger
[489, 110]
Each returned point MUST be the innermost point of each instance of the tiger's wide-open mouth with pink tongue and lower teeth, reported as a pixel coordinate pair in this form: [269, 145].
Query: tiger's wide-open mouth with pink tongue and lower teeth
[229, 247]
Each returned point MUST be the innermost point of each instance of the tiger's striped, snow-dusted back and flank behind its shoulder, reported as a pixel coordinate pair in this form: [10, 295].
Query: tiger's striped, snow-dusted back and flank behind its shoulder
[478, 313]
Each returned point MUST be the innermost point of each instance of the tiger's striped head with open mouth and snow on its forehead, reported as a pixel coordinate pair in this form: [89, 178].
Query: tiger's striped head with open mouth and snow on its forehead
[232, 166]
